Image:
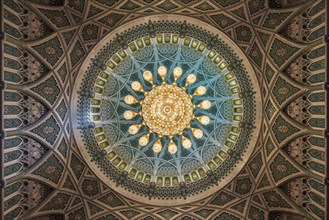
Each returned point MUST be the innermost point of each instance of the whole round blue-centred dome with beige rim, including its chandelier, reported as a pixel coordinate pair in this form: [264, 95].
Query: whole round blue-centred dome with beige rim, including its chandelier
[166, 109]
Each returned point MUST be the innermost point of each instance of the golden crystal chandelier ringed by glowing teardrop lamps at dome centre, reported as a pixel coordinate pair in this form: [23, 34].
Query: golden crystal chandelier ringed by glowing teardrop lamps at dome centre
[167, 110]
